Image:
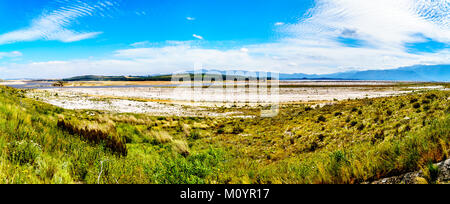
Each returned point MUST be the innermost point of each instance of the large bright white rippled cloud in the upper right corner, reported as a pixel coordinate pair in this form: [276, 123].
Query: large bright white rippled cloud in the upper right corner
[385, 24]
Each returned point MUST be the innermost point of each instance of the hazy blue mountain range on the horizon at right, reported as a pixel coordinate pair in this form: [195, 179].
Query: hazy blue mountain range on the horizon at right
[414, 73]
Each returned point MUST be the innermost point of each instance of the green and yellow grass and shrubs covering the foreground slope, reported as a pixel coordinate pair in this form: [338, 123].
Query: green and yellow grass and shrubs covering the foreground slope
[352, 141]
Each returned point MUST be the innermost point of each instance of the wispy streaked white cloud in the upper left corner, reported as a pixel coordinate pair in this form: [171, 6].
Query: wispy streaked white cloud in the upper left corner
[55, 24]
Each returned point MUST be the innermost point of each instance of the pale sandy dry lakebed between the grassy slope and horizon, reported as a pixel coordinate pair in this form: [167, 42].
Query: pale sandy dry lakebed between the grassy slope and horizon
[184, 101]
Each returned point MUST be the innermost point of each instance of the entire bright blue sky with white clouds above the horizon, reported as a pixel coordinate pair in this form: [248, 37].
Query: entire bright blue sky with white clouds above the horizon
[65, 38]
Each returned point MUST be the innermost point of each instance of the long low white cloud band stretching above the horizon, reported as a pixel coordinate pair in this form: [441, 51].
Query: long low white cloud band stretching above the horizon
[285, 57]
